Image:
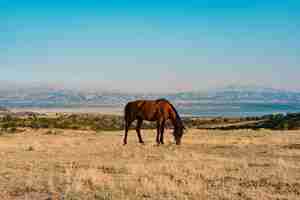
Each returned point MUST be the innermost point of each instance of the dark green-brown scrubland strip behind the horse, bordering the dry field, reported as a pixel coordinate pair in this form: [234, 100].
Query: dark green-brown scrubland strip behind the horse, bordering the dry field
[100, 122]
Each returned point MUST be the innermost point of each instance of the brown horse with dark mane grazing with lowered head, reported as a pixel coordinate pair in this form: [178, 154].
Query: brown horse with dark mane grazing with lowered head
[160, 111]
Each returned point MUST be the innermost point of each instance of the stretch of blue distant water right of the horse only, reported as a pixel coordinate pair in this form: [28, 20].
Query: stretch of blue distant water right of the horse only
[237, 109]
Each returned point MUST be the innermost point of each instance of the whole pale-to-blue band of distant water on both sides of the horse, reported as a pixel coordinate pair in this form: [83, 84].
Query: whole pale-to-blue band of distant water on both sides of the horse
[195, 109]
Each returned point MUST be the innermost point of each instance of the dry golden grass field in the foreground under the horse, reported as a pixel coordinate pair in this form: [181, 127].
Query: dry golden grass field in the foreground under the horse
[71, 164]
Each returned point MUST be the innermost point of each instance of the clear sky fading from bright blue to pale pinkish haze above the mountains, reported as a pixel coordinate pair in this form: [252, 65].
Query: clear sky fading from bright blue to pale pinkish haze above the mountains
[155, 45]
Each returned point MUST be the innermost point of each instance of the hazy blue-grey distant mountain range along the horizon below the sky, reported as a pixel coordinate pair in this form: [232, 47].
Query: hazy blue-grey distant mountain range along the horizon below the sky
[49, 96]
